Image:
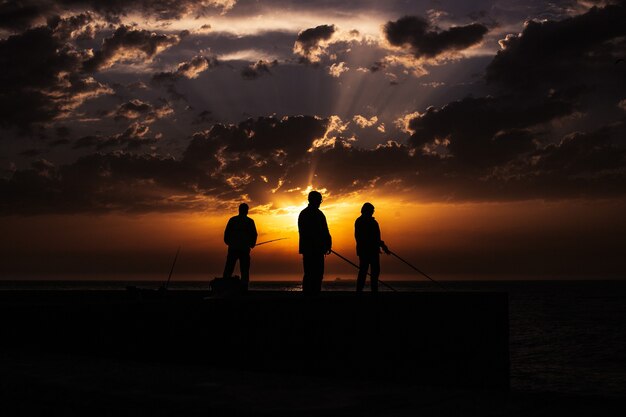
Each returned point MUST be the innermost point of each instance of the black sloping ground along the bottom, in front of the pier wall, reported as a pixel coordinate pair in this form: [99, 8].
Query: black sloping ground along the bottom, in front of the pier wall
[78, 385]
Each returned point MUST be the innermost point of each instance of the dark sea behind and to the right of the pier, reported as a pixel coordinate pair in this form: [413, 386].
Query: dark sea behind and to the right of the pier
[565, 336]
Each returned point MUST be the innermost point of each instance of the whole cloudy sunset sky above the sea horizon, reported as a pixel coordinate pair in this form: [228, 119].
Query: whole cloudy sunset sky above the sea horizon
[489, 135]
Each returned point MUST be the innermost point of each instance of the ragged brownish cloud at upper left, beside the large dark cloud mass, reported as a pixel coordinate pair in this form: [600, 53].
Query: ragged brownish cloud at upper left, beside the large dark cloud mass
[127, 43]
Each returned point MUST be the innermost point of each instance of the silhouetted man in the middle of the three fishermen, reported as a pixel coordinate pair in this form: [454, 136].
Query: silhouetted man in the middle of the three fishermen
[315, 242]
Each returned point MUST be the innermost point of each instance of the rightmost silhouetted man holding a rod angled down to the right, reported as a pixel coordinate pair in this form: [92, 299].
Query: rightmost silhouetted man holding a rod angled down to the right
[368, 244]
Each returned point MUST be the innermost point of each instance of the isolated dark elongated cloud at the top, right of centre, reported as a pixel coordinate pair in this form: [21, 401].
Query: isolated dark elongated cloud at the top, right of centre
[426, 41]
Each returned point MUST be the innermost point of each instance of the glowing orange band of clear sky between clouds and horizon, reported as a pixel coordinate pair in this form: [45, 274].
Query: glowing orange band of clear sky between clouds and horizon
[531, 239]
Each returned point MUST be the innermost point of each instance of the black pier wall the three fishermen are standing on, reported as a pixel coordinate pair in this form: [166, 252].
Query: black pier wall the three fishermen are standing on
[446, 339]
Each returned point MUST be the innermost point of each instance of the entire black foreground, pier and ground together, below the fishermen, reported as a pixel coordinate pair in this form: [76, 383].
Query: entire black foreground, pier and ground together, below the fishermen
[109, 353]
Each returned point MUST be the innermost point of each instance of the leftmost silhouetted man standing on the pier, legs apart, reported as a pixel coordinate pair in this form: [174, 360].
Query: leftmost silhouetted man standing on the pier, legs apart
[240, 236]
